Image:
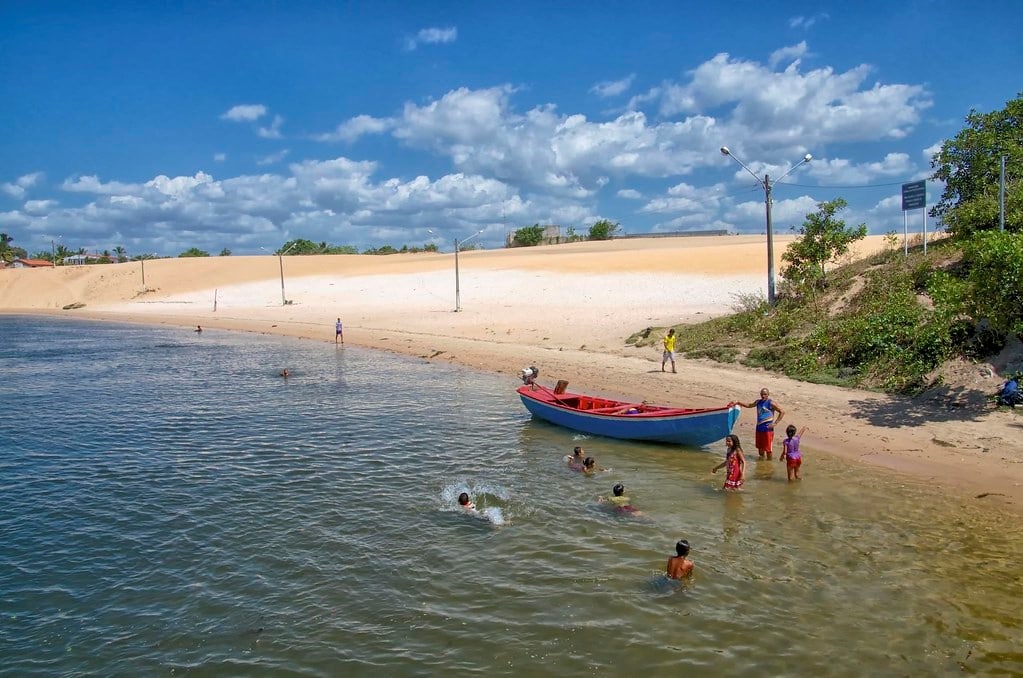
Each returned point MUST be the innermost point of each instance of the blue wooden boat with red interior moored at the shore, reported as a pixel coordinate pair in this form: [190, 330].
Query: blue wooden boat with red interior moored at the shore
[640, 422]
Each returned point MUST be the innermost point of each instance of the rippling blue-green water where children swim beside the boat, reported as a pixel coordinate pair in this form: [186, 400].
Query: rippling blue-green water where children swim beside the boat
[177, 508]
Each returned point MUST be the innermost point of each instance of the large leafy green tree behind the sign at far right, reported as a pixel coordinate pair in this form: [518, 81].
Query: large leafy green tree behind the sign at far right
[969, 164]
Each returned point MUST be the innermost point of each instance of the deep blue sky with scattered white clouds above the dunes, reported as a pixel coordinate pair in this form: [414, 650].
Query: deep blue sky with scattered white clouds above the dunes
[163, 126]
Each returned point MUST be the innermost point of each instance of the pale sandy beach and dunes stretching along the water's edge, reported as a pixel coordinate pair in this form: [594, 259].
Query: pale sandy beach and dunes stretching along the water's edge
[567, 309]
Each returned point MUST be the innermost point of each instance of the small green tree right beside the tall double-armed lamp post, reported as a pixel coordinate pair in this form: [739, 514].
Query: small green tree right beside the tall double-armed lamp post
[824, 239]
